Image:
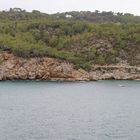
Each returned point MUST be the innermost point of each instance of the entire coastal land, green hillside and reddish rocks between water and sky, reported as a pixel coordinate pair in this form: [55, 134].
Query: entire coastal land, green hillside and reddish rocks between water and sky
[70, 46]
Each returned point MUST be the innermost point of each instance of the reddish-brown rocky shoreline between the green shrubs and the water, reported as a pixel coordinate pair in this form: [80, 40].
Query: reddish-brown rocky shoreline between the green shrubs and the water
[15, 68]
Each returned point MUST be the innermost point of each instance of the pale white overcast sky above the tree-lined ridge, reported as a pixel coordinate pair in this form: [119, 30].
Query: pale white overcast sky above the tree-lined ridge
[53, 6]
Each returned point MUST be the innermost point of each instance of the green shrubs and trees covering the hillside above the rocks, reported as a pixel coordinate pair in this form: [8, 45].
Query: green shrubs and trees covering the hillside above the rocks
[72, 36]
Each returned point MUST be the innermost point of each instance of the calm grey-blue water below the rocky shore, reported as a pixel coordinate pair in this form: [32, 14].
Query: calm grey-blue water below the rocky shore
[103, 110]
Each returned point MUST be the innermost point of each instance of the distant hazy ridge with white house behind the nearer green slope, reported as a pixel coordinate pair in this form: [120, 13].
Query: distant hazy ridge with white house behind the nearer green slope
[100, 17]
